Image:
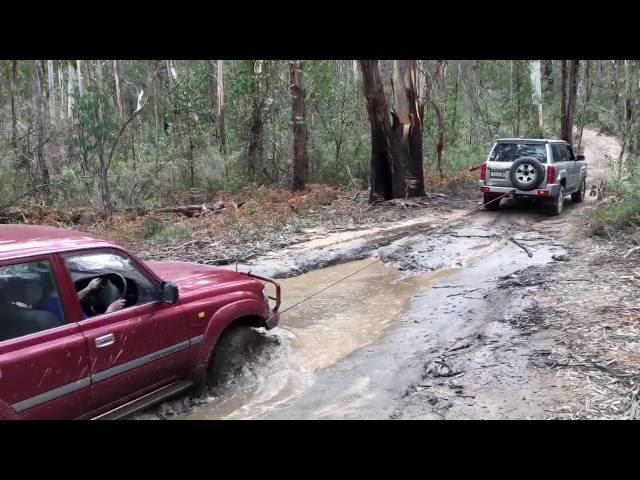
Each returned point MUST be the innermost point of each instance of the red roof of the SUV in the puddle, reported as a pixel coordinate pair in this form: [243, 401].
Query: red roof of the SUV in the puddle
[25, 240]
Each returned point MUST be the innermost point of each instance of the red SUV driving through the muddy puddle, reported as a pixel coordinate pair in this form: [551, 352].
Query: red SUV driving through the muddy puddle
[89, 331]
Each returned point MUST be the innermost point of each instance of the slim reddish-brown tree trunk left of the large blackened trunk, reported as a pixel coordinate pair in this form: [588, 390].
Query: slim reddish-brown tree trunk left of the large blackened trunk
[298, 121]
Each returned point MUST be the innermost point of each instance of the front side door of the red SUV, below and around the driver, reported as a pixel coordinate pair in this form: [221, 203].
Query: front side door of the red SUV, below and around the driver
[136, 349]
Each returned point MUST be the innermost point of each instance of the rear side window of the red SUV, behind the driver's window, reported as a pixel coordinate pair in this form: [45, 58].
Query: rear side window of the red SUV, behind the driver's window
[29, 300]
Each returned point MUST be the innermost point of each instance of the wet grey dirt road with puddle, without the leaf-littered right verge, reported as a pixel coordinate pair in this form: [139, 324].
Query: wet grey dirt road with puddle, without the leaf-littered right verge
[431, 331]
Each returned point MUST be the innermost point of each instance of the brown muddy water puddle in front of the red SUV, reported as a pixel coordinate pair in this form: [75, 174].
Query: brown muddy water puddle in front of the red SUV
[318, 333]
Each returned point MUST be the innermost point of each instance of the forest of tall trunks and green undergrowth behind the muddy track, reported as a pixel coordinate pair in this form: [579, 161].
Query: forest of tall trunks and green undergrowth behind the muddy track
[118, 134]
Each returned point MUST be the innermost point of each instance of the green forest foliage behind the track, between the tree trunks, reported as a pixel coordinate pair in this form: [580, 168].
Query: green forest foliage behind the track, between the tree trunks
[173, 146]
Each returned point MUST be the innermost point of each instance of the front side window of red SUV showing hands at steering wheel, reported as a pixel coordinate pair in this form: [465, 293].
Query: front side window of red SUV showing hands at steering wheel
[108, 281]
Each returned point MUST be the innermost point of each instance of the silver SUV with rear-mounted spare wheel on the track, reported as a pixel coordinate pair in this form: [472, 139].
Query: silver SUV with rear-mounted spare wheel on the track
[542, 170]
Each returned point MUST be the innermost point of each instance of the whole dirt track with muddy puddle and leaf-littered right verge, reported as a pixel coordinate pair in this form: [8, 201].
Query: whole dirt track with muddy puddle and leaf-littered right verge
[453, 323]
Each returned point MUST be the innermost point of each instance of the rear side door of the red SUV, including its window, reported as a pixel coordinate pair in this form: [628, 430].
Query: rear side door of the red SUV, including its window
[44, 360]
